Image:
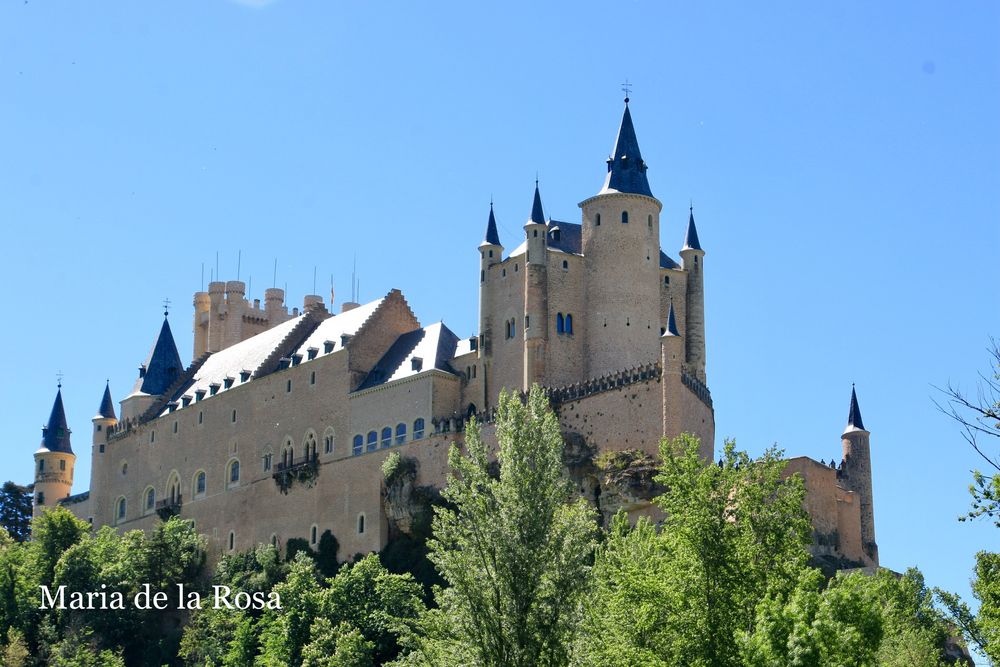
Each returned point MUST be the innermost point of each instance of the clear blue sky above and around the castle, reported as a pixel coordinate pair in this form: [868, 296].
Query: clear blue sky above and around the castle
[844, 163]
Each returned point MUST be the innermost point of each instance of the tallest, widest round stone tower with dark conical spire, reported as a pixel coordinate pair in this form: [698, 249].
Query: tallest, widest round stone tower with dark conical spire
[621, 244]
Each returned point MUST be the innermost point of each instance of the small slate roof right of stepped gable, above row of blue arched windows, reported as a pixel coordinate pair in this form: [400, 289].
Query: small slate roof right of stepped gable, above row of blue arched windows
[434, 345]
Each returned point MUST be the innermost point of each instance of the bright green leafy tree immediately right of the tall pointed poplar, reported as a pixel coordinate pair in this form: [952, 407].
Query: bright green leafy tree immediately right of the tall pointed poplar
[733, 533]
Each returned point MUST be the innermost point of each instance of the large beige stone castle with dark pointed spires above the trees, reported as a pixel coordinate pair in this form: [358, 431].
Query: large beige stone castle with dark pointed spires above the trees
[279, 426]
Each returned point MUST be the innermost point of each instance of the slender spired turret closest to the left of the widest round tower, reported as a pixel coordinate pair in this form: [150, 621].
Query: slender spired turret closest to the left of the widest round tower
[535, 294]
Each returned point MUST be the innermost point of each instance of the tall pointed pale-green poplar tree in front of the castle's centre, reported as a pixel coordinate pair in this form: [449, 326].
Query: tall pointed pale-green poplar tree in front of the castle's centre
[515, 550]
